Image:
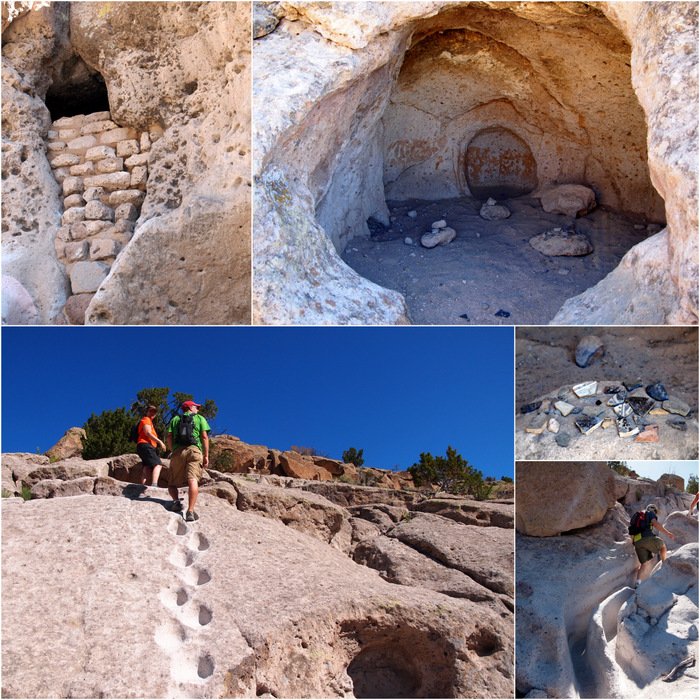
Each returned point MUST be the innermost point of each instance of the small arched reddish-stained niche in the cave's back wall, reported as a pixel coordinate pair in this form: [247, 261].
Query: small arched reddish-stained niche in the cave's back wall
[500, 164]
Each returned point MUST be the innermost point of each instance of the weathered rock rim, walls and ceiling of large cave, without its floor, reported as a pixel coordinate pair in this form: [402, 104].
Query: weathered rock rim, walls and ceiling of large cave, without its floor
[387, 100]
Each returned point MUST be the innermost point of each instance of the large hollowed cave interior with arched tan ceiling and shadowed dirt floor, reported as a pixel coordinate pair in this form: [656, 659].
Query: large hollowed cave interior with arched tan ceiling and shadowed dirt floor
[490, 104]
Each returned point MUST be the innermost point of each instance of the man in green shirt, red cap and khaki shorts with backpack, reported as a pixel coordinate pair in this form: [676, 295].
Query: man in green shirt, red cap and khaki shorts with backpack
[188, 439]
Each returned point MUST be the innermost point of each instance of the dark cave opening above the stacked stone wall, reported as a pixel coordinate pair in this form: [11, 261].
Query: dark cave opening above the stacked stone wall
[76, 89]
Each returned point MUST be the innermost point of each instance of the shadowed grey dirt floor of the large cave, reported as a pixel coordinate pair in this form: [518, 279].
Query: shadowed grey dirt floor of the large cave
[490, 265]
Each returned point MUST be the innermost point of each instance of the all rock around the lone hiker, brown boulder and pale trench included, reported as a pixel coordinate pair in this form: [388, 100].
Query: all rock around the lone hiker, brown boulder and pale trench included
[586, 632]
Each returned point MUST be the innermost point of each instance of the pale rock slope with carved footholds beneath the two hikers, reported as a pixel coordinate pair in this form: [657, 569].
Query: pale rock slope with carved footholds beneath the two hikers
[263, 595]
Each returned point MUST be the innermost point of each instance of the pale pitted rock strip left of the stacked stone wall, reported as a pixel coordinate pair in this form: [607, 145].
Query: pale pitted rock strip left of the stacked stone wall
[34, 43]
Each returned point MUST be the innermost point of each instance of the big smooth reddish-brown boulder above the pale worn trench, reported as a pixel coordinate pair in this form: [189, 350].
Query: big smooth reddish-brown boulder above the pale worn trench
[585, 491]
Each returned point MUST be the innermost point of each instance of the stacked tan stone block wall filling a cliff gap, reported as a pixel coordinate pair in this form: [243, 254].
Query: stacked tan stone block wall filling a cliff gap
[102, 169]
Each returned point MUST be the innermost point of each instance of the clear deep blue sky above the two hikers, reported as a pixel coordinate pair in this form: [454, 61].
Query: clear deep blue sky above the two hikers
[394, 392]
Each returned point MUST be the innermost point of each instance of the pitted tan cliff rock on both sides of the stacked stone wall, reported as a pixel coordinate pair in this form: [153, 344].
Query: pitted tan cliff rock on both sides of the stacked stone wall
[181, 69]
